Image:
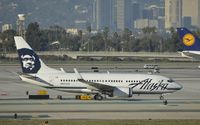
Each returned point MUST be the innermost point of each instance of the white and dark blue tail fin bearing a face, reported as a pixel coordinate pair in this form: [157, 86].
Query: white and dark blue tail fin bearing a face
[30, 62]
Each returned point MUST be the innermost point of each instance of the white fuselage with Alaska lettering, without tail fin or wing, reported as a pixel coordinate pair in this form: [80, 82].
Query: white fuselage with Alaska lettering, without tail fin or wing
[150, 84]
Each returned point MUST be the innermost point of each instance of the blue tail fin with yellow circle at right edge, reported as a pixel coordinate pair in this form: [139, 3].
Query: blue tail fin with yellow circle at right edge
[189, 40]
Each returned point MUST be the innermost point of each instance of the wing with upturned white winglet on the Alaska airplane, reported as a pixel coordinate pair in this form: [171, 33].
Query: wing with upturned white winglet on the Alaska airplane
[99, 86]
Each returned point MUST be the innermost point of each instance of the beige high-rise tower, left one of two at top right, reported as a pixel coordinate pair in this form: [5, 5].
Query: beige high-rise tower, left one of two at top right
[173, 13]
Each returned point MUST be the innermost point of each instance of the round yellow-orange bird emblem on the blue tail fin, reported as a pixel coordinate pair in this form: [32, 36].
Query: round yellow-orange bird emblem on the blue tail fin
[188, 39]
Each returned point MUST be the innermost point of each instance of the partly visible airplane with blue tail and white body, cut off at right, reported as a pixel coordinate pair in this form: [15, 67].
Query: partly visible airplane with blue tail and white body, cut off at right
[190, 42]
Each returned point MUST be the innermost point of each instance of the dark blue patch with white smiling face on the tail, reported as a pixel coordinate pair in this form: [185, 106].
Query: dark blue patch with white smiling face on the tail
[29, 61]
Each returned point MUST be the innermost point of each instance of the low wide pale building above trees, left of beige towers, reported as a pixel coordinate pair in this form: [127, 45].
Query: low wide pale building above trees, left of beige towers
[143, 23]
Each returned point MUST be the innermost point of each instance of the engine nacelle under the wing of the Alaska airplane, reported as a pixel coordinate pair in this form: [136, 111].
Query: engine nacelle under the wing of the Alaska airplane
[123, 92]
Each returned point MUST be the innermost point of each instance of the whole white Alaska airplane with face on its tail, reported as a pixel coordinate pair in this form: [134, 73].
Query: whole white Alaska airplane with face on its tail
[35, 71]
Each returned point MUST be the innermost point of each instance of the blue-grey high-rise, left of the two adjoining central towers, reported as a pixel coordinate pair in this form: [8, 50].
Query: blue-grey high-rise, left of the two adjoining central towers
[104, 14]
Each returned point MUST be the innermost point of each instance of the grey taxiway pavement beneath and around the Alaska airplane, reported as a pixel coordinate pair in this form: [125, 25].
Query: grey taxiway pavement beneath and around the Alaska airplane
[183, 104]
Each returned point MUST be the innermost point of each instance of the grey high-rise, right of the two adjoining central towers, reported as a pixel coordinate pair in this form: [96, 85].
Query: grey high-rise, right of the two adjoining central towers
[124, 14]
